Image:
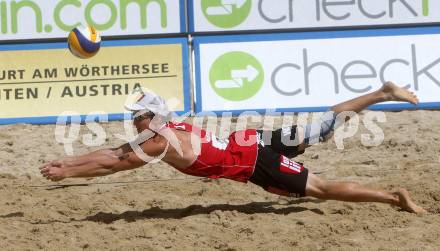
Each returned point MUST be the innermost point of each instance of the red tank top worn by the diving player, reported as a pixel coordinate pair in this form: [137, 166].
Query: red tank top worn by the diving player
[233, 158]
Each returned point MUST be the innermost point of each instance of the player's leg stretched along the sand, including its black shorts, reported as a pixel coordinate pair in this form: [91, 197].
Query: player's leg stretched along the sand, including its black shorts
[278, 174]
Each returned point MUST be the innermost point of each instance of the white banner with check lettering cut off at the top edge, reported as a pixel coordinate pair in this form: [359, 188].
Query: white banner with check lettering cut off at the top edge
[234, 15]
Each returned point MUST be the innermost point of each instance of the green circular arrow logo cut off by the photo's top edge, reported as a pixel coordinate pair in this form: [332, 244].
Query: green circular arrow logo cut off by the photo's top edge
[226, 13]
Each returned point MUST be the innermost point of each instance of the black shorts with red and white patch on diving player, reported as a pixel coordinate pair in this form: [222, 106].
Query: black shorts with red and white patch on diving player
[275, 171]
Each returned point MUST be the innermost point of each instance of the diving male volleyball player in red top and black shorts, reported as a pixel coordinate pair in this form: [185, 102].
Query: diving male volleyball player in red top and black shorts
[245, 156]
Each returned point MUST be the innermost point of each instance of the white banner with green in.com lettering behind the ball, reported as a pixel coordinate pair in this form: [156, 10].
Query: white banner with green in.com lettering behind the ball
[33, 19]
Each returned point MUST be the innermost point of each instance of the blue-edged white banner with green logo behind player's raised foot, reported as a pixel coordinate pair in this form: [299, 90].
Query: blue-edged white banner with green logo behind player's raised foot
[312, 71]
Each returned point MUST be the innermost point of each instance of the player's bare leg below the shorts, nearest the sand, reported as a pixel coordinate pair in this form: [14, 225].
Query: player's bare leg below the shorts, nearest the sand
[354, 192]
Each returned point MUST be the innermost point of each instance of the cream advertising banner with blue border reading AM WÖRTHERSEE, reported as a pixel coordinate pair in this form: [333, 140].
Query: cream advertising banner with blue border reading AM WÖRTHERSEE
[41, 81]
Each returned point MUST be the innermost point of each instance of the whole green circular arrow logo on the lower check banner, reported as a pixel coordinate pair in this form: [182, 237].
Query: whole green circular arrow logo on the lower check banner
[236, 76]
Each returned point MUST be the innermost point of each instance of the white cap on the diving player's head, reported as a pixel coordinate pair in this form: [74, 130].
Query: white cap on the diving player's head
[150, 102]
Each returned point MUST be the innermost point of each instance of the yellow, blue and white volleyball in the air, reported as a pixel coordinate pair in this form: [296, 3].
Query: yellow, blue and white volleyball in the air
[84, 42]
